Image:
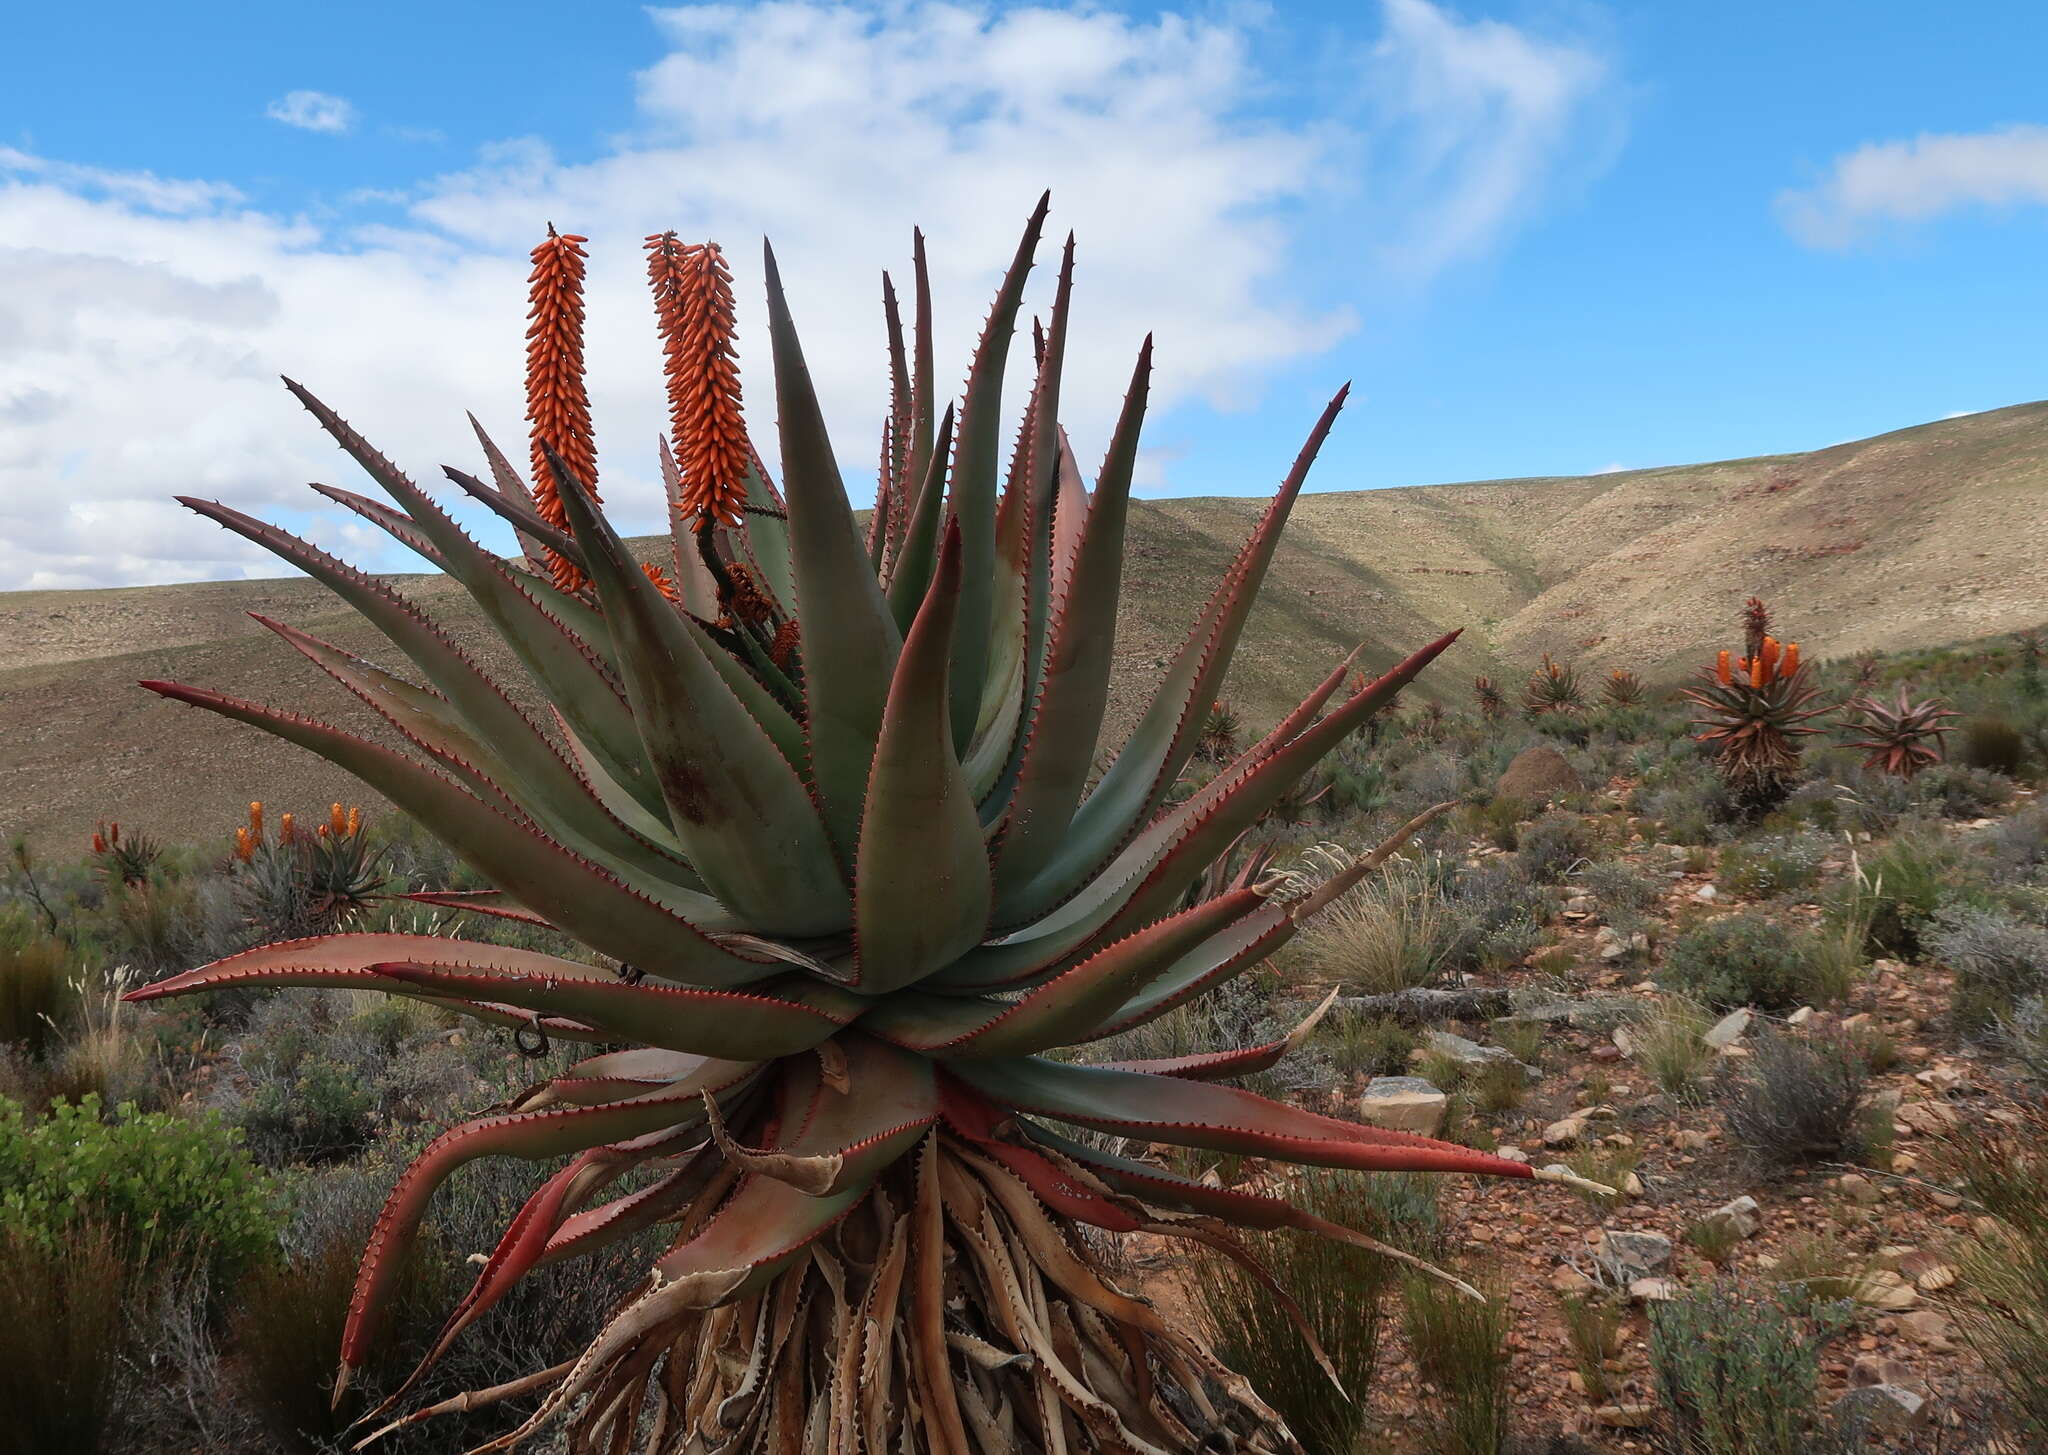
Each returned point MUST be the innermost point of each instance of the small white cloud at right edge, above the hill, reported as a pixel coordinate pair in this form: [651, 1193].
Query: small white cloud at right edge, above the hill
[1918, 181]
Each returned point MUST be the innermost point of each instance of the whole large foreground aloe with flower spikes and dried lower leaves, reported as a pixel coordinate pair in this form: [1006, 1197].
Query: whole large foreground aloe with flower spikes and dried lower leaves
[851, 890]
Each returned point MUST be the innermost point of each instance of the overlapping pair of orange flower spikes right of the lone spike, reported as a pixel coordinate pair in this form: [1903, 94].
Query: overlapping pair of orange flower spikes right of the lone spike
[693, 298]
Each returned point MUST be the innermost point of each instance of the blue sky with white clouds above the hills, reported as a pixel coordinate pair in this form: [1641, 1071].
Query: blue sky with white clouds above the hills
[1539, 239]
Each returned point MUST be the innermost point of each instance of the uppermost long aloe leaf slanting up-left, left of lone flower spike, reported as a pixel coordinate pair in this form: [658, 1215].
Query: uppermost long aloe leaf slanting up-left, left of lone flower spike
[564, 665]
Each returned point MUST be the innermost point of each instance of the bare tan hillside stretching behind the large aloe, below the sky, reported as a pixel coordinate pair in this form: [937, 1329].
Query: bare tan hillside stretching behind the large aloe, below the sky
[1920, 538]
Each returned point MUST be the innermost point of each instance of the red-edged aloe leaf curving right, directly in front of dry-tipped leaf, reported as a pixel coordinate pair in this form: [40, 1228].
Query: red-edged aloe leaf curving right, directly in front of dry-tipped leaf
[1068, 1007]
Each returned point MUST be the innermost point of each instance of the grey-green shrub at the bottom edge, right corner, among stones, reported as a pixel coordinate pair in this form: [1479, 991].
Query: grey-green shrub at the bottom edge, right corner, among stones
[1740, 1370]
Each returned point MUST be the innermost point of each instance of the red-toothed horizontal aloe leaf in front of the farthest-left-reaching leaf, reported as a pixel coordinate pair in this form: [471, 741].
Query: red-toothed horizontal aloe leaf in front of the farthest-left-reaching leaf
[769, 1022]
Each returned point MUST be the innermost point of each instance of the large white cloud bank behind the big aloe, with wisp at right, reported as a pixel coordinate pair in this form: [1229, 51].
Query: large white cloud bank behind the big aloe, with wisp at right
[144, 323]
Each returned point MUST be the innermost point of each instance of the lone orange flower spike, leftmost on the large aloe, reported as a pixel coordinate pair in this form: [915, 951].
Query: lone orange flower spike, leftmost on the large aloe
[558, 405]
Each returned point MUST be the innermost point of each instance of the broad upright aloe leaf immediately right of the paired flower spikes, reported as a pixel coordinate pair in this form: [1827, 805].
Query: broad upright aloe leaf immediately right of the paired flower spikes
[851, 642]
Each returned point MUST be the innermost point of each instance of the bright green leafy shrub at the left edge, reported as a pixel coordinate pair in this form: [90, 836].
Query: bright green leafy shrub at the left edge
[173, 1186]
